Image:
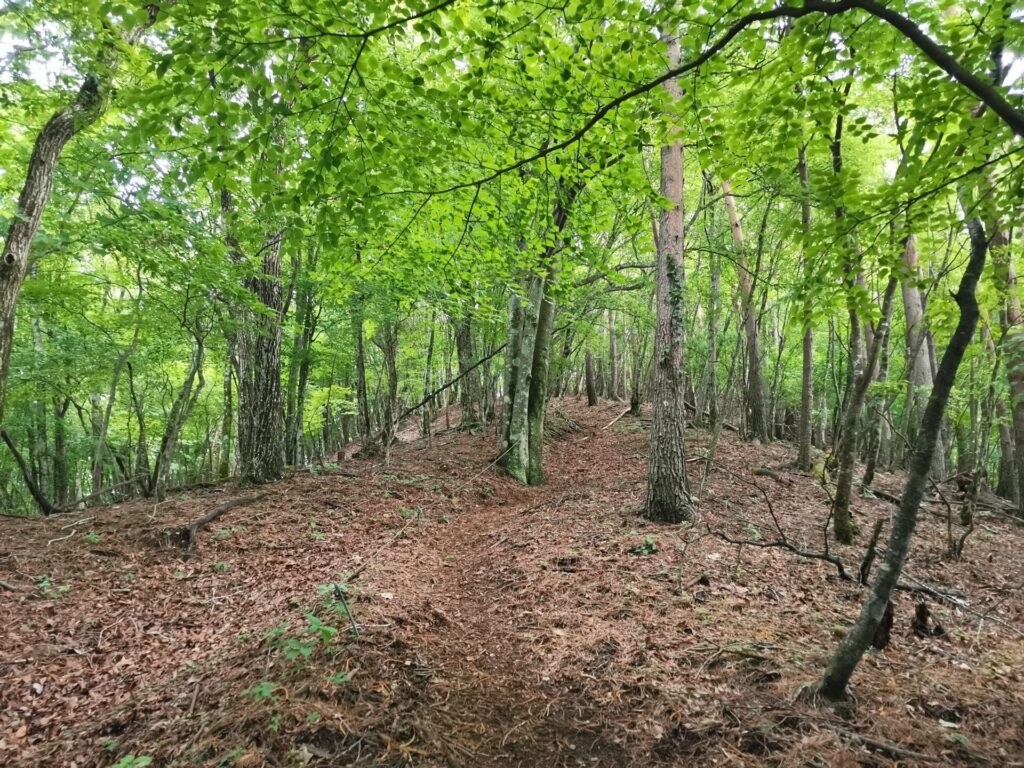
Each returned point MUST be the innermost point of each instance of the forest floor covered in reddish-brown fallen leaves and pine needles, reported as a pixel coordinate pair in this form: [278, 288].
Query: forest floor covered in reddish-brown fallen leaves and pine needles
[498, 625]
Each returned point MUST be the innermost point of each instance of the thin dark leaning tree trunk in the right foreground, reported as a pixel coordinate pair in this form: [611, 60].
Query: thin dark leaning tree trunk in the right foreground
[850, 651]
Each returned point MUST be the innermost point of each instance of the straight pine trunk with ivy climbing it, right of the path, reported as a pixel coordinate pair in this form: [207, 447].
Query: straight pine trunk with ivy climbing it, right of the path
[668, 497]
